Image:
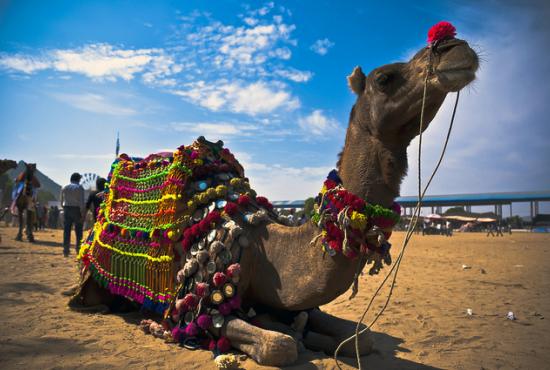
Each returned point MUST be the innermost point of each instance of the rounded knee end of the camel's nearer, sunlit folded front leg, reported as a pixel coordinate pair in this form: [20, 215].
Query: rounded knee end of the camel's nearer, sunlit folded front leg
[275, 349]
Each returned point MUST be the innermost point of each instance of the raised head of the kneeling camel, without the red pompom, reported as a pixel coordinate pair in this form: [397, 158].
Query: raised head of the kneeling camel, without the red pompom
[389, 99]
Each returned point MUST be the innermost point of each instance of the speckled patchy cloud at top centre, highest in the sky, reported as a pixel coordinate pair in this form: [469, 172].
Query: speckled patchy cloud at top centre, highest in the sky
[248, 51]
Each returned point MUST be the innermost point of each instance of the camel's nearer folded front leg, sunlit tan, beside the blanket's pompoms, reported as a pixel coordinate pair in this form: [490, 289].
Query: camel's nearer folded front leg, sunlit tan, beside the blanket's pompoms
[264, 346]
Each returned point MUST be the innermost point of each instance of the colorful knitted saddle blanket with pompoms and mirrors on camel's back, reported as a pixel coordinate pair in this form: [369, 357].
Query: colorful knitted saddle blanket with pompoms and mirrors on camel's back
[170, 231]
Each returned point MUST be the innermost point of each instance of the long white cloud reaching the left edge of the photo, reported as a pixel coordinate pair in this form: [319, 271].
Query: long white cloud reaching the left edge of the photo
[98, 62]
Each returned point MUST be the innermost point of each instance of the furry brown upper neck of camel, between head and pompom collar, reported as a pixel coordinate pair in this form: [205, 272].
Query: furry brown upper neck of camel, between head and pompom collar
[371, 169]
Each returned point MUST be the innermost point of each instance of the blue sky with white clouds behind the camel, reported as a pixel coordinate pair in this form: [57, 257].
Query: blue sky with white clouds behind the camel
[268, 79]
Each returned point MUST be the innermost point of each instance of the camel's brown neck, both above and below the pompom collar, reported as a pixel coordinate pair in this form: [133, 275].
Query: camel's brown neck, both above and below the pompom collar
[369, 170]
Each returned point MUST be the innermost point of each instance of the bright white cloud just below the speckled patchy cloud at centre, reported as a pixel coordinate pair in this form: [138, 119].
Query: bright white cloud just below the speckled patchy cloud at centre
[239, 97]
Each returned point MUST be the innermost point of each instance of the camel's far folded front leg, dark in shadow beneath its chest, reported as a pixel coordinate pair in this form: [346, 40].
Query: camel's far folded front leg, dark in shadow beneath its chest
[327, 332]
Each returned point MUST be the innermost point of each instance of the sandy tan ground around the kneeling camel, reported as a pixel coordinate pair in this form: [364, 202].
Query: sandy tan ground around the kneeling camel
[425, 327]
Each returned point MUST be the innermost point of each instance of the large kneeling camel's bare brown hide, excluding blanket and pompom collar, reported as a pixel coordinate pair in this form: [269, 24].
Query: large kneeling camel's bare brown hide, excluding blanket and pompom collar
[287, 273]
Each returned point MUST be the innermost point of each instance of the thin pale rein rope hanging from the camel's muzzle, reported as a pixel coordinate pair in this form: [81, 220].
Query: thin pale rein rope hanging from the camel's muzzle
[410, 228]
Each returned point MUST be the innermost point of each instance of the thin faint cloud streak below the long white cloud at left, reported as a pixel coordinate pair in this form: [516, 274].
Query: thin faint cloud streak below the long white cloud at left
[94, 103]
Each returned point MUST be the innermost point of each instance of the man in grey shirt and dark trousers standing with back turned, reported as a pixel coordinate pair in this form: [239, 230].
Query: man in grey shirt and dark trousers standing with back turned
[74, 209]
